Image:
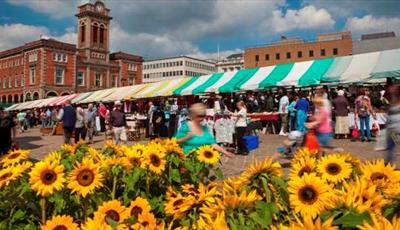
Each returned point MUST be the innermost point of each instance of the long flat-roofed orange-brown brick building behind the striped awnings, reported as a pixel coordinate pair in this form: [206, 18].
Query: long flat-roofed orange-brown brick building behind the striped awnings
[294, 50]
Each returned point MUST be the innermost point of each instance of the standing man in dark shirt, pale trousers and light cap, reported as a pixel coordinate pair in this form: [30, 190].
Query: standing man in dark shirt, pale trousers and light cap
[118, 123]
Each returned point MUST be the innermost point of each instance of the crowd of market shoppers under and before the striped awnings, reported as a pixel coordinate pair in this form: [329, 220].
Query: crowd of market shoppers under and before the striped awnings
[323, 110]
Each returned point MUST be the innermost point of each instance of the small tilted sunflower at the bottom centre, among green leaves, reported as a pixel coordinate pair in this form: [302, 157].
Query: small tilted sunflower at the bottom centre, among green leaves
[178, 206]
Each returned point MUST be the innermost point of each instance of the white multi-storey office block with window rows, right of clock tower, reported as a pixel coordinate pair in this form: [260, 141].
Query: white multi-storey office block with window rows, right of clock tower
[175, 67]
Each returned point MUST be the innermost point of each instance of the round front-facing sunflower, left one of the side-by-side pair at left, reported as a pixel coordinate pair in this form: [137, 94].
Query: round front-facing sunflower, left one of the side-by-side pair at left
[47, 177]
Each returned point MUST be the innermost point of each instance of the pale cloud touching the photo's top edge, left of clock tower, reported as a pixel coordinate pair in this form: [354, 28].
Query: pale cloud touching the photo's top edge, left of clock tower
[55, 8]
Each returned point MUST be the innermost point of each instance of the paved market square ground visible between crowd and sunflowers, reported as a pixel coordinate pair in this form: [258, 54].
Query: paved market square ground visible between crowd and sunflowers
[41, 145]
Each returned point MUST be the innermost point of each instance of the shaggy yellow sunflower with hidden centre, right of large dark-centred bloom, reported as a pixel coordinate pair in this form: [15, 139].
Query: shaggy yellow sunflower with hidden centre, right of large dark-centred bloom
[362, 196]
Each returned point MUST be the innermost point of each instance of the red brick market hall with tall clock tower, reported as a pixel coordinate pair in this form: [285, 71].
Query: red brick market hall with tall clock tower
[48, 67]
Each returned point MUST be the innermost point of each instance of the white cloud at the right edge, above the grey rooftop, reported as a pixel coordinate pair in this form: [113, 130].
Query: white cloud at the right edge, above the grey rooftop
[371, 24]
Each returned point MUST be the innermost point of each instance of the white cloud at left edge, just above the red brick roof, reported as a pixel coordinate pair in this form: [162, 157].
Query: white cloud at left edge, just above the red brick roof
[13, 35]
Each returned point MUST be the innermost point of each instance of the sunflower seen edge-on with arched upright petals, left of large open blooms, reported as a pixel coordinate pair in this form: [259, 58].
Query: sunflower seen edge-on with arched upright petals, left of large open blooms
[267, 166]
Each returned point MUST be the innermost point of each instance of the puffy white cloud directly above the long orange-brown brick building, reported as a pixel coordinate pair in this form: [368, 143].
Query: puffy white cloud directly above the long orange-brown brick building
[307, 17]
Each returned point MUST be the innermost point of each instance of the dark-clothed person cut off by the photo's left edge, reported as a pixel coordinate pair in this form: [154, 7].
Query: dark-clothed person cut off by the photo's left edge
[8, 132]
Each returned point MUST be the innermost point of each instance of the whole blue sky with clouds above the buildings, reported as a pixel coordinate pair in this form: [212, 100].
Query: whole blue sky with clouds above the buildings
[161, 28]
